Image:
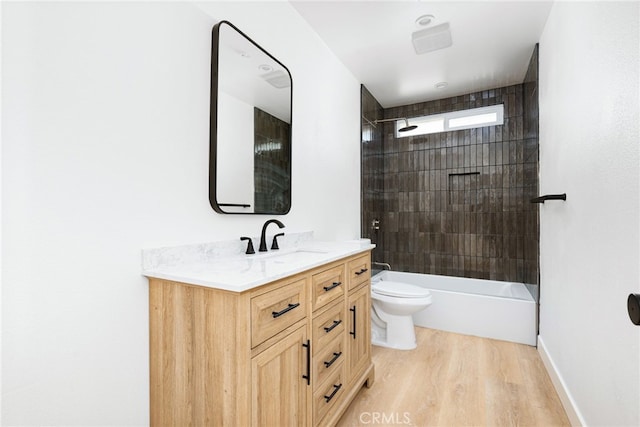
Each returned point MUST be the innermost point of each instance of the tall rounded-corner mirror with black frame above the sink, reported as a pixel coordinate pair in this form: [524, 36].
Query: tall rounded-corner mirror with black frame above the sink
[250, 153]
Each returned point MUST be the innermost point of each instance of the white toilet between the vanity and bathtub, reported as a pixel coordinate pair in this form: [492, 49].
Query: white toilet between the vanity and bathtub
[393, 303]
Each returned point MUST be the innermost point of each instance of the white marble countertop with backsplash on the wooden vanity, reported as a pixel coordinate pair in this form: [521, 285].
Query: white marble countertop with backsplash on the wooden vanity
[239, 272]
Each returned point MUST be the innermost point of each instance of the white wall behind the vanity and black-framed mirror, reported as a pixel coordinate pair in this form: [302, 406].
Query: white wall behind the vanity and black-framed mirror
[105, 152]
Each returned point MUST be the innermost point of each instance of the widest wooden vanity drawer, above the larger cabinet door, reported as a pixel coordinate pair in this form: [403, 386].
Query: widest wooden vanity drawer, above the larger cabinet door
[276, 310]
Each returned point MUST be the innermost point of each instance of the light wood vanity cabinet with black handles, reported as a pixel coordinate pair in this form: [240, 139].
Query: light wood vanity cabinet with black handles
[281, 354]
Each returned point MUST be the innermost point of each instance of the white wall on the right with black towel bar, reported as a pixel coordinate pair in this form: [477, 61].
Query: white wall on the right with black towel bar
[589, 245]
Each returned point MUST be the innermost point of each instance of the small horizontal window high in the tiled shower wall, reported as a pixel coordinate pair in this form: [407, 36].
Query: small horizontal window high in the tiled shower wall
[454, 120]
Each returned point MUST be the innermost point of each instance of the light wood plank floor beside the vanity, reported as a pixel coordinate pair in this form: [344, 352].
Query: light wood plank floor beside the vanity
[457, 380]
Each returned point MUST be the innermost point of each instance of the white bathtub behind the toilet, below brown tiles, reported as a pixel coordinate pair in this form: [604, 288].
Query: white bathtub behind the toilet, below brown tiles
[485, 308]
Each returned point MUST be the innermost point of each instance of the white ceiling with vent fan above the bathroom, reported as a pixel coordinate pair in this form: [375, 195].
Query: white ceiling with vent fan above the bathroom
[492, 44]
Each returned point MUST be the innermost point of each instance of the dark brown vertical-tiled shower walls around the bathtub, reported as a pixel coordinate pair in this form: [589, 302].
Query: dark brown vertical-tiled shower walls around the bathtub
[456, 203]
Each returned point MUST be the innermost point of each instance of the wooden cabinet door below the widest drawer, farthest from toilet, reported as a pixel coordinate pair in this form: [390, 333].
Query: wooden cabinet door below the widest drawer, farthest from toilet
[279, 391]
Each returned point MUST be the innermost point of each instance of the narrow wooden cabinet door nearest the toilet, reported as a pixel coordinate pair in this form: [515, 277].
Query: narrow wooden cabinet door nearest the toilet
[359, 338]
